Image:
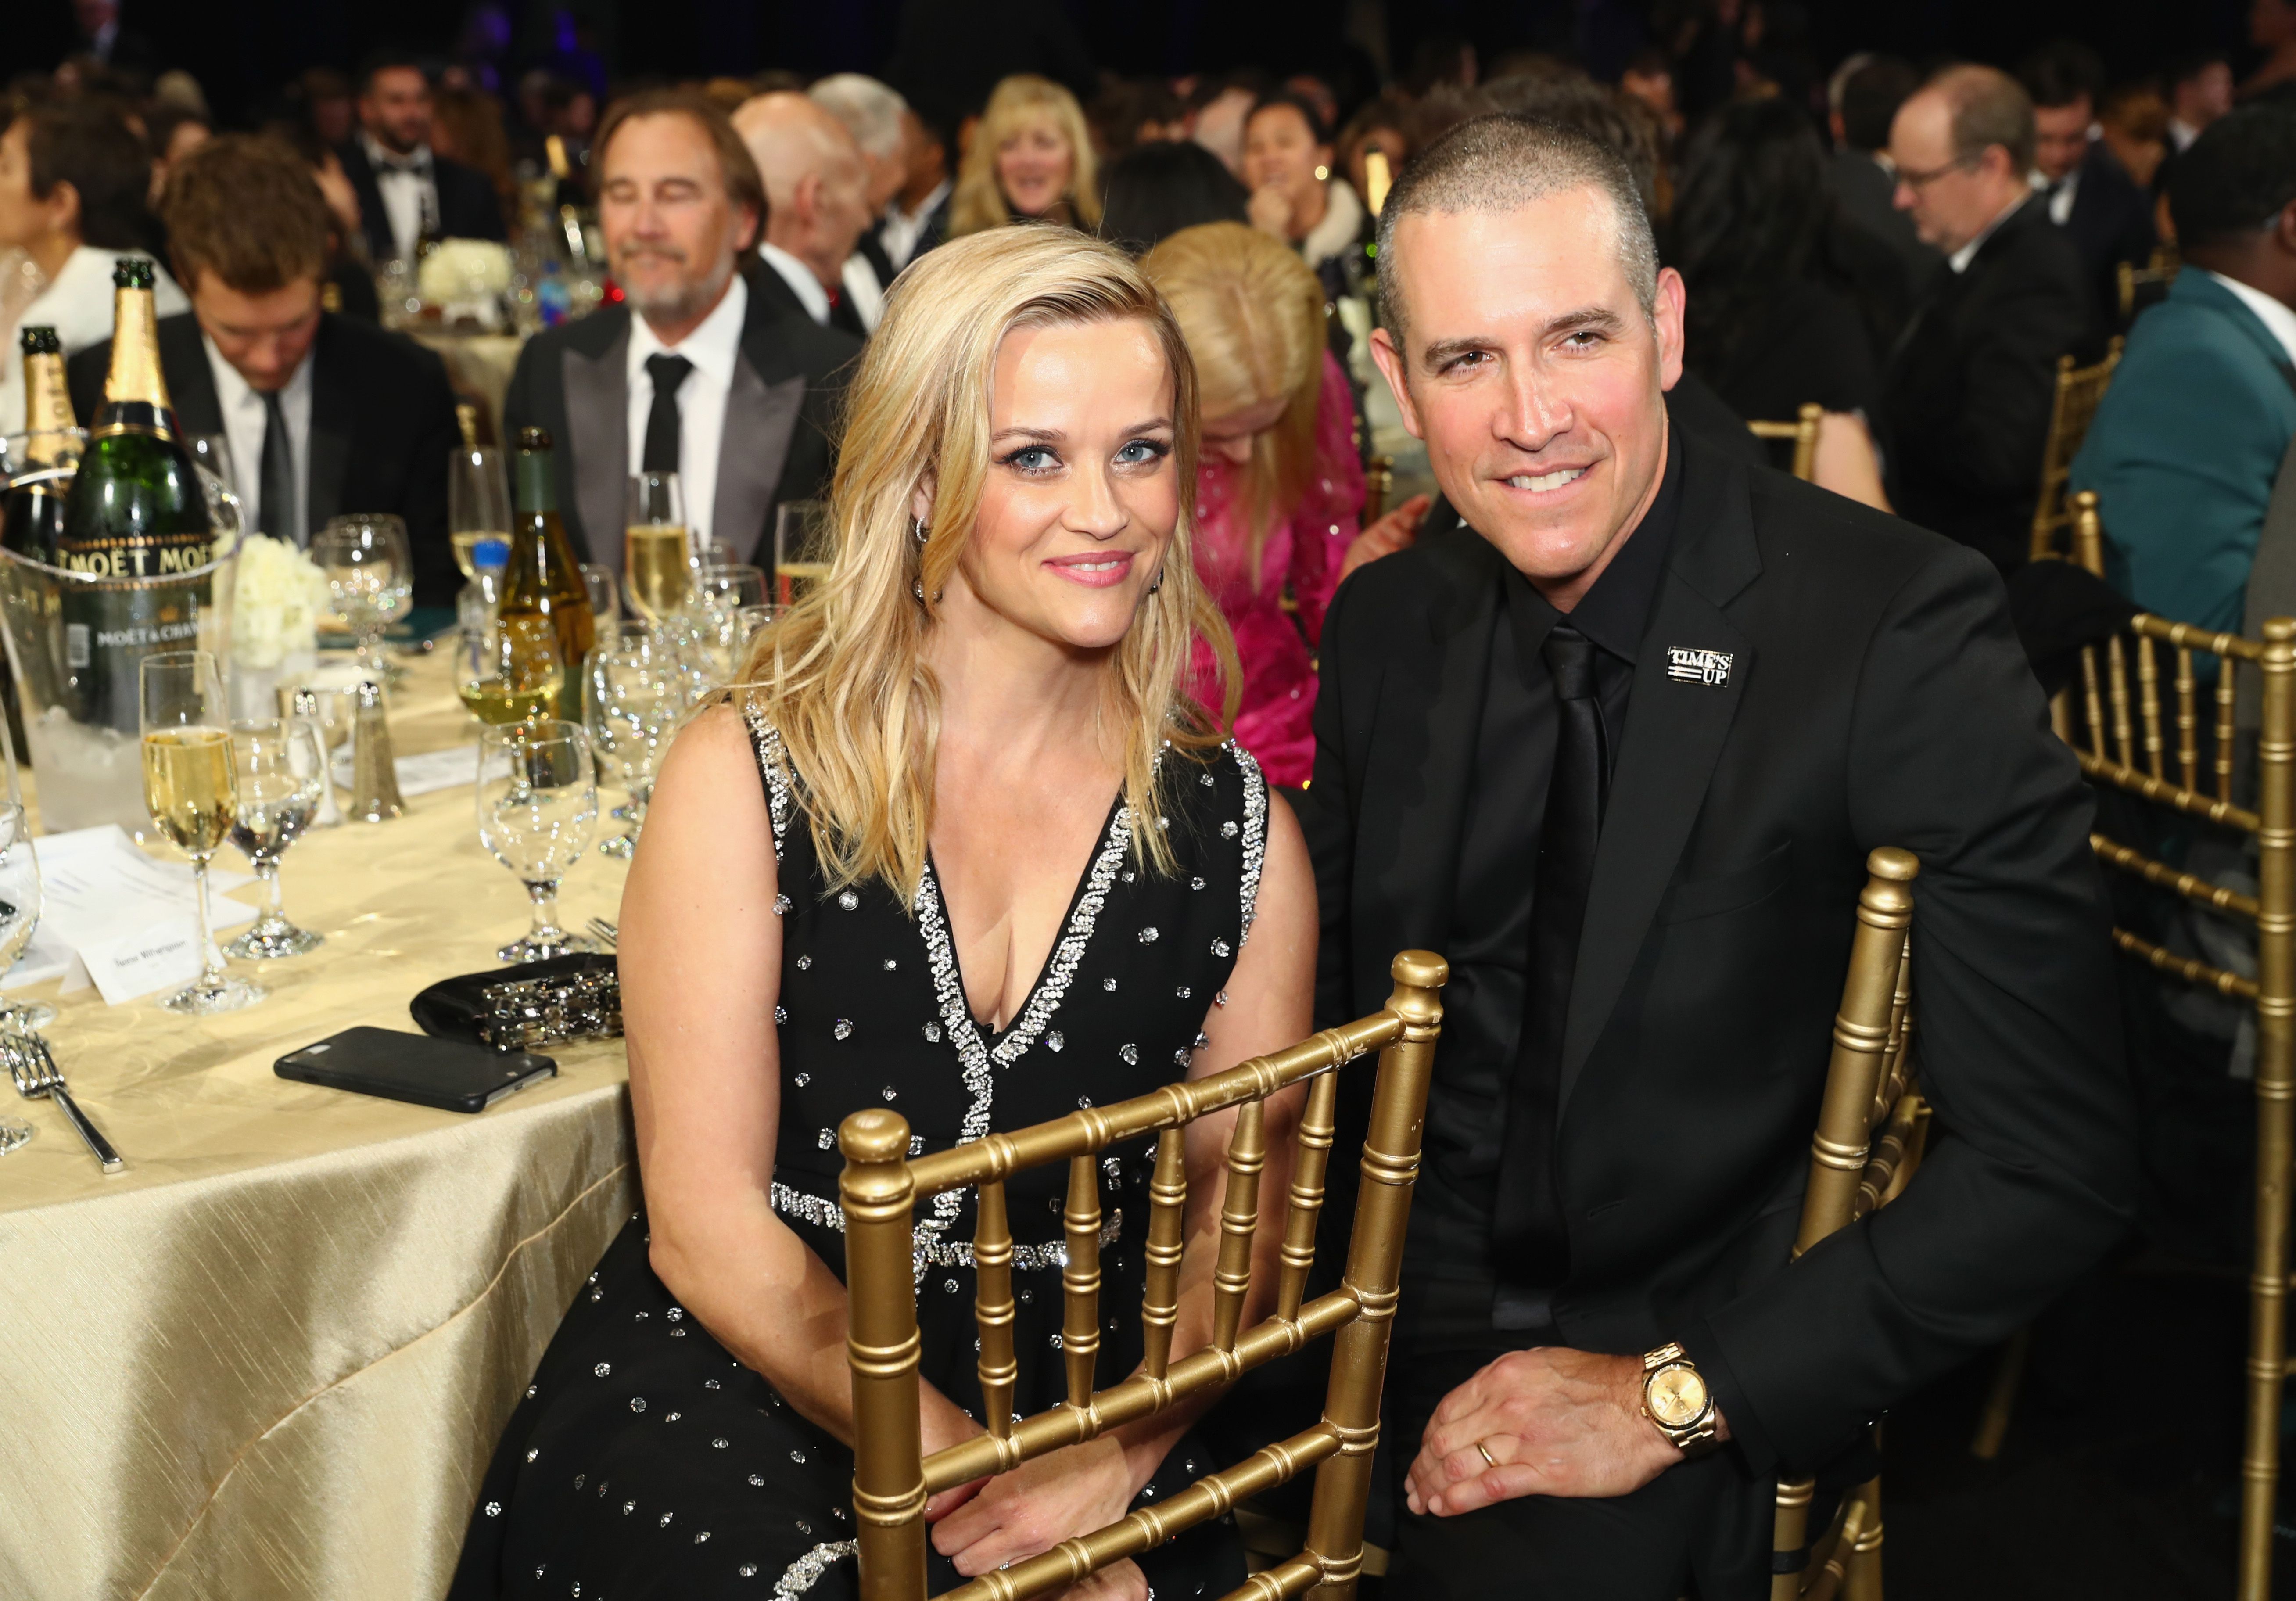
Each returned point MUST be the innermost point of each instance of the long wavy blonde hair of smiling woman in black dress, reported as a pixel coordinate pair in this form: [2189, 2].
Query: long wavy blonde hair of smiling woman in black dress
[844, 676]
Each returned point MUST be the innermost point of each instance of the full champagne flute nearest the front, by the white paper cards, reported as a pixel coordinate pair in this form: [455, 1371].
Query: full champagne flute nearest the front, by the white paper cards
[192, 791]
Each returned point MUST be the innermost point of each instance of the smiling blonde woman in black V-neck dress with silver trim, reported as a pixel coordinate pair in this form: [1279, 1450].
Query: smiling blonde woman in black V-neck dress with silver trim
[968, 851]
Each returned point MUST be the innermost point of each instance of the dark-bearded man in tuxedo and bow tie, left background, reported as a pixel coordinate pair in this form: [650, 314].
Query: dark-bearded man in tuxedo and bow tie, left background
[405, 190]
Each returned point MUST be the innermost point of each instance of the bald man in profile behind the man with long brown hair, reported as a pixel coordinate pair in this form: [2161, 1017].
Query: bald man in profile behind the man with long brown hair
[816, 208]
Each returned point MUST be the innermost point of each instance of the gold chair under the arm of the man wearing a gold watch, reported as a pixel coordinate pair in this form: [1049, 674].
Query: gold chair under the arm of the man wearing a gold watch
[1870, 1138]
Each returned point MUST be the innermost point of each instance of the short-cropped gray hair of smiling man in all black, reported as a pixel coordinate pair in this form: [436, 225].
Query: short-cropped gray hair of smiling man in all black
[1498, 164]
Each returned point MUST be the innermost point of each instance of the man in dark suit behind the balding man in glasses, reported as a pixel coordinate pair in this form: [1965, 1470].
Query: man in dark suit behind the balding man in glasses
[2088, 192]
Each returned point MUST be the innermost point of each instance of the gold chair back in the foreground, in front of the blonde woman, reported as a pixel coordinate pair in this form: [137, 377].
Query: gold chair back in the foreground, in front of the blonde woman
[883, 1186]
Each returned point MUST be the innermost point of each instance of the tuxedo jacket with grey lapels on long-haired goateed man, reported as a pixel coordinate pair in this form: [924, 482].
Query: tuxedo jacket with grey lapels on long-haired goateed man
[779, 440]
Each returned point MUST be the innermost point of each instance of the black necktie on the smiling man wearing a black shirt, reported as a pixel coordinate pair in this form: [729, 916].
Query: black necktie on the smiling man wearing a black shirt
[1530, 1251]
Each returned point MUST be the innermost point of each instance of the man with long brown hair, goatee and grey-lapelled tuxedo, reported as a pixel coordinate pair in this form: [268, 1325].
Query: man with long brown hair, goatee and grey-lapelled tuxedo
[697, 371]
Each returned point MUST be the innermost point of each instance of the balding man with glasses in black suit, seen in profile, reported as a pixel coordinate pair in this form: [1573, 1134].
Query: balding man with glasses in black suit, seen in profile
[1969, 389]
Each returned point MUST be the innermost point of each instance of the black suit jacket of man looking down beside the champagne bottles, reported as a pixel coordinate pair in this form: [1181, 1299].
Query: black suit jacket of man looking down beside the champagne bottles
[382, 424]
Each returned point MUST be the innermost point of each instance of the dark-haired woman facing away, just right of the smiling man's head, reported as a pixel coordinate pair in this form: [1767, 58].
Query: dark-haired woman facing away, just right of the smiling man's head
[1771, 318]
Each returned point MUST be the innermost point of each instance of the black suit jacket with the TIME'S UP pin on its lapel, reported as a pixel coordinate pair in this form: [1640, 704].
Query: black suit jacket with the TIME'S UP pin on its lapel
[1877, 697]
